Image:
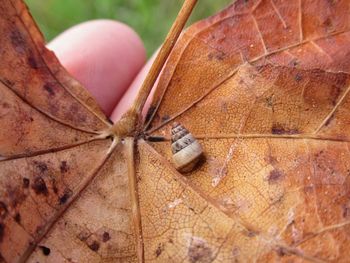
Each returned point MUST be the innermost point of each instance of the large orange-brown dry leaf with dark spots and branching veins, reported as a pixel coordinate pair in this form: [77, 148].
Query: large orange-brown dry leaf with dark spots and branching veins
[263, 86]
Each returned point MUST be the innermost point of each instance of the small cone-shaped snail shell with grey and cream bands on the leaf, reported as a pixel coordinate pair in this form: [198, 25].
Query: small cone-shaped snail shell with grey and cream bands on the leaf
[186, 149]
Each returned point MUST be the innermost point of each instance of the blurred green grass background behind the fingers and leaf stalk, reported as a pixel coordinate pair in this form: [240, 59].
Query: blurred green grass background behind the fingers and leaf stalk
[151, 19]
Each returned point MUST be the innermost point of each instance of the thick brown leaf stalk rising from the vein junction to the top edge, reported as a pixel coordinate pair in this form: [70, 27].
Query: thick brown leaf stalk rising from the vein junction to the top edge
[132, 118]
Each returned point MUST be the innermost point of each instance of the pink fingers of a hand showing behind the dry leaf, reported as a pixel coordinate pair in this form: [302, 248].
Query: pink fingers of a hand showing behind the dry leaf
[108, 58]
